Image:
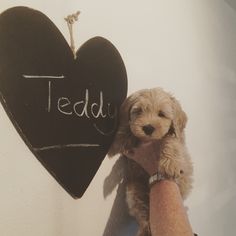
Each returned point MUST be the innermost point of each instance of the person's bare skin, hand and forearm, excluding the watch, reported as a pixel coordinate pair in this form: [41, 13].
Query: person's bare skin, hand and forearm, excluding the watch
[167, 213]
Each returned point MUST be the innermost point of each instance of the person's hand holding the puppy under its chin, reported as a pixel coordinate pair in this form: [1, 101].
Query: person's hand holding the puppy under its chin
[146, 155]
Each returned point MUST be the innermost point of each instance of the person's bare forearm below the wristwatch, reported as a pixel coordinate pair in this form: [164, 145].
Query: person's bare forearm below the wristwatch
[167, 214]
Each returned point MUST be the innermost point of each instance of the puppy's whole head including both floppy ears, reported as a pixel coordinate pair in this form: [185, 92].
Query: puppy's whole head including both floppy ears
[148, 114]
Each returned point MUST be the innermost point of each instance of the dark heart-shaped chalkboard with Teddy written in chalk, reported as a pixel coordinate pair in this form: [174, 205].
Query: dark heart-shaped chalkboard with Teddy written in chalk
[65, 109]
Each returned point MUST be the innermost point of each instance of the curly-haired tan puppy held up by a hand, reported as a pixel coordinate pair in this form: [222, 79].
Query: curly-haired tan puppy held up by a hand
[149, 115]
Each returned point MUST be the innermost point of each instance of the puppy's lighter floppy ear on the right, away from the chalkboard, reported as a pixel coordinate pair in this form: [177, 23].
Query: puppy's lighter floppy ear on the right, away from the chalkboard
[180, 118]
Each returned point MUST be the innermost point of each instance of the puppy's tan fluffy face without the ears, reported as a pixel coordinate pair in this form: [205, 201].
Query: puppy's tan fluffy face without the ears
[151, 115]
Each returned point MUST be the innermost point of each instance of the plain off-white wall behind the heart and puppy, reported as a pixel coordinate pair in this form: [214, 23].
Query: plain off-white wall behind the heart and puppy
[188, 48]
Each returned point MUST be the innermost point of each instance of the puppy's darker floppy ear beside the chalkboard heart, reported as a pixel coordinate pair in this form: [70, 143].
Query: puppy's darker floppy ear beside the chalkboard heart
[123, 133]
